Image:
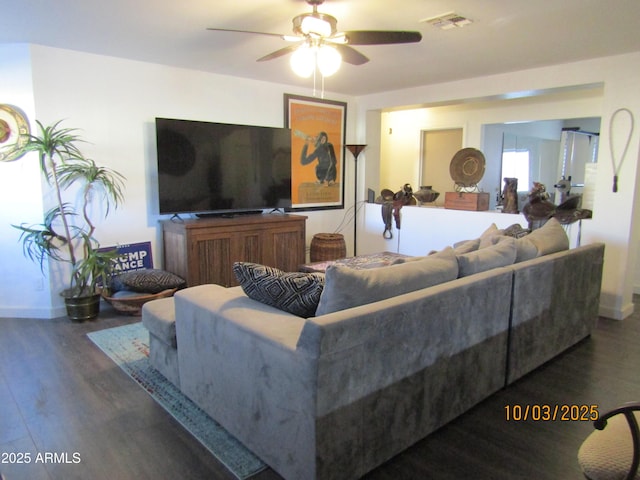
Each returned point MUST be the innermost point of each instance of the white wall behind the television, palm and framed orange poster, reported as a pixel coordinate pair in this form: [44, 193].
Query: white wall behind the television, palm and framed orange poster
[114, 102]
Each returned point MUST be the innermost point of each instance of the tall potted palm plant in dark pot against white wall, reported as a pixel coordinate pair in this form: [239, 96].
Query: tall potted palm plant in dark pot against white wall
[67, 232]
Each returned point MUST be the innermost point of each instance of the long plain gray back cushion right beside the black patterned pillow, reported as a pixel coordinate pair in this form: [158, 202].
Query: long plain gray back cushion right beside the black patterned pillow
[346, 288]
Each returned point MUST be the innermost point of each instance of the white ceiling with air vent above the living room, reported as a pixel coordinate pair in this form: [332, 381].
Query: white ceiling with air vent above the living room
[506, 35]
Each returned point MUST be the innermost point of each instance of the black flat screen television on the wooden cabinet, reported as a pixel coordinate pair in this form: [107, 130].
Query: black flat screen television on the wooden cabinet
[216, 168]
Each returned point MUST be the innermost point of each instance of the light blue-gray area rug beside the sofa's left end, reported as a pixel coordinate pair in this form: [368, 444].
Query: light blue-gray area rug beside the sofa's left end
[128, 347]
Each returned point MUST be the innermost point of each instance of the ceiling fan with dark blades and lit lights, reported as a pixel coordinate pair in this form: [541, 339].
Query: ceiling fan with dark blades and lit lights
[316, 29]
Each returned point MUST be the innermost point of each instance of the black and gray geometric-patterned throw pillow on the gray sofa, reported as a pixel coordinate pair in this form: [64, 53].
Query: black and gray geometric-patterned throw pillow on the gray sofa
[294, 292]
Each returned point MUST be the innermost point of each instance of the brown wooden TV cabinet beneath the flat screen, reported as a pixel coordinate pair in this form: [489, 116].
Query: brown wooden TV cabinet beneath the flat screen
[204, 250]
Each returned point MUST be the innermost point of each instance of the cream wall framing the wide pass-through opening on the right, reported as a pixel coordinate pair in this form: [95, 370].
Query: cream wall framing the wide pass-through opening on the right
[614, 79]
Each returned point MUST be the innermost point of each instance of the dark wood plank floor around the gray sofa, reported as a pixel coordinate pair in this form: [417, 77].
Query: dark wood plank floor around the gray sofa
[60, 395]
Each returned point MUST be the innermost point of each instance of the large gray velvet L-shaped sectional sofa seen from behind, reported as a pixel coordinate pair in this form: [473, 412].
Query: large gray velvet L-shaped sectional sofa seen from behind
[335, 395]
